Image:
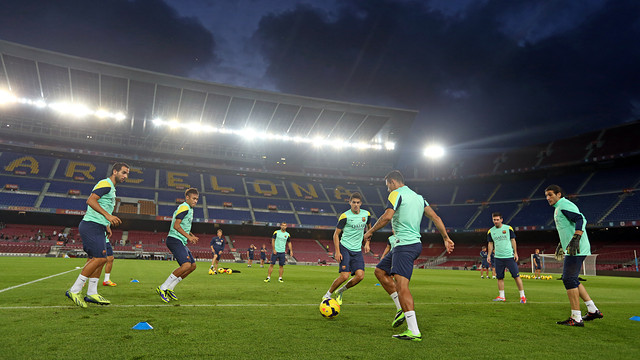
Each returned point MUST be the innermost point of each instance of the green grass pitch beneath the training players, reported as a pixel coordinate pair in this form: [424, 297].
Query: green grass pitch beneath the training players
[239, 316]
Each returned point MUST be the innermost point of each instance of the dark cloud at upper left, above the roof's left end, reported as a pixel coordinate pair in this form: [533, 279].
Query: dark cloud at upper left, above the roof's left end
[143, 34]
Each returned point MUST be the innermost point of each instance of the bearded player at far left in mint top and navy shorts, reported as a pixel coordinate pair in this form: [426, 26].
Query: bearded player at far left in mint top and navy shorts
[94, 229]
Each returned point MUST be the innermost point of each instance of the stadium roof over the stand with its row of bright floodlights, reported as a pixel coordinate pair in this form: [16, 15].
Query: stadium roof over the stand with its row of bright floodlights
[143, 96]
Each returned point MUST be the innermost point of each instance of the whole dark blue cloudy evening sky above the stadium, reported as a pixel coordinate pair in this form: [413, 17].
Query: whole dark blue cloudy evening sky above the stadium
[483, 74]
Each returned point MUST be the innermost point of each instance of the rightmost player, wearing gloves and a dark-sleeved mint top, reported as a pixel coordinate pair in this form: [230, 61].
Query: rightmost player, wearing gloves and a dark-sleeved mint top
[571, 225]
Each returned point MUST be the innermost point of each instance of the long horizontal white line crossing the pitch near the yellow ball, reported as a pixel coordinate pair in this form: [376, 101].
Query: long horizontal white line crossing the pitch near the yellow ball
[280, 305]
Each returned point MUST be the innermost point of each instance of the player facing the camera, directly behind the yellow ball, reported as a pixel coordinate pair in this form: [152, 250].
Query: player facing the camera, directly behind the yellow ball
[351, 225]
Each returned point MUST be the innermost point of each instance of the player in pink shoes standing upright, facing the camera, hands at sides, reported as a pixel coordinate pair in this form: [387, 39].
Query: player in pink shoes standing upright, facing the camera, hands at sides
[504, 238]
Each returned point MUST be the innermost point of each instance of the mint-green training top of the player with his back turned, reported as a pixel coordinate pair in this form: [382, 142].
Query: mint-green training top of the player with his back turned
[409, 210]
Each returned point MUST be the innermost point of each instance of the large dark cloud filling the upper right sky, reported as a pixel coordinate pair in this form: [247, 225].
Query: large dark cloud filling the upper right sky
[470, 75]
